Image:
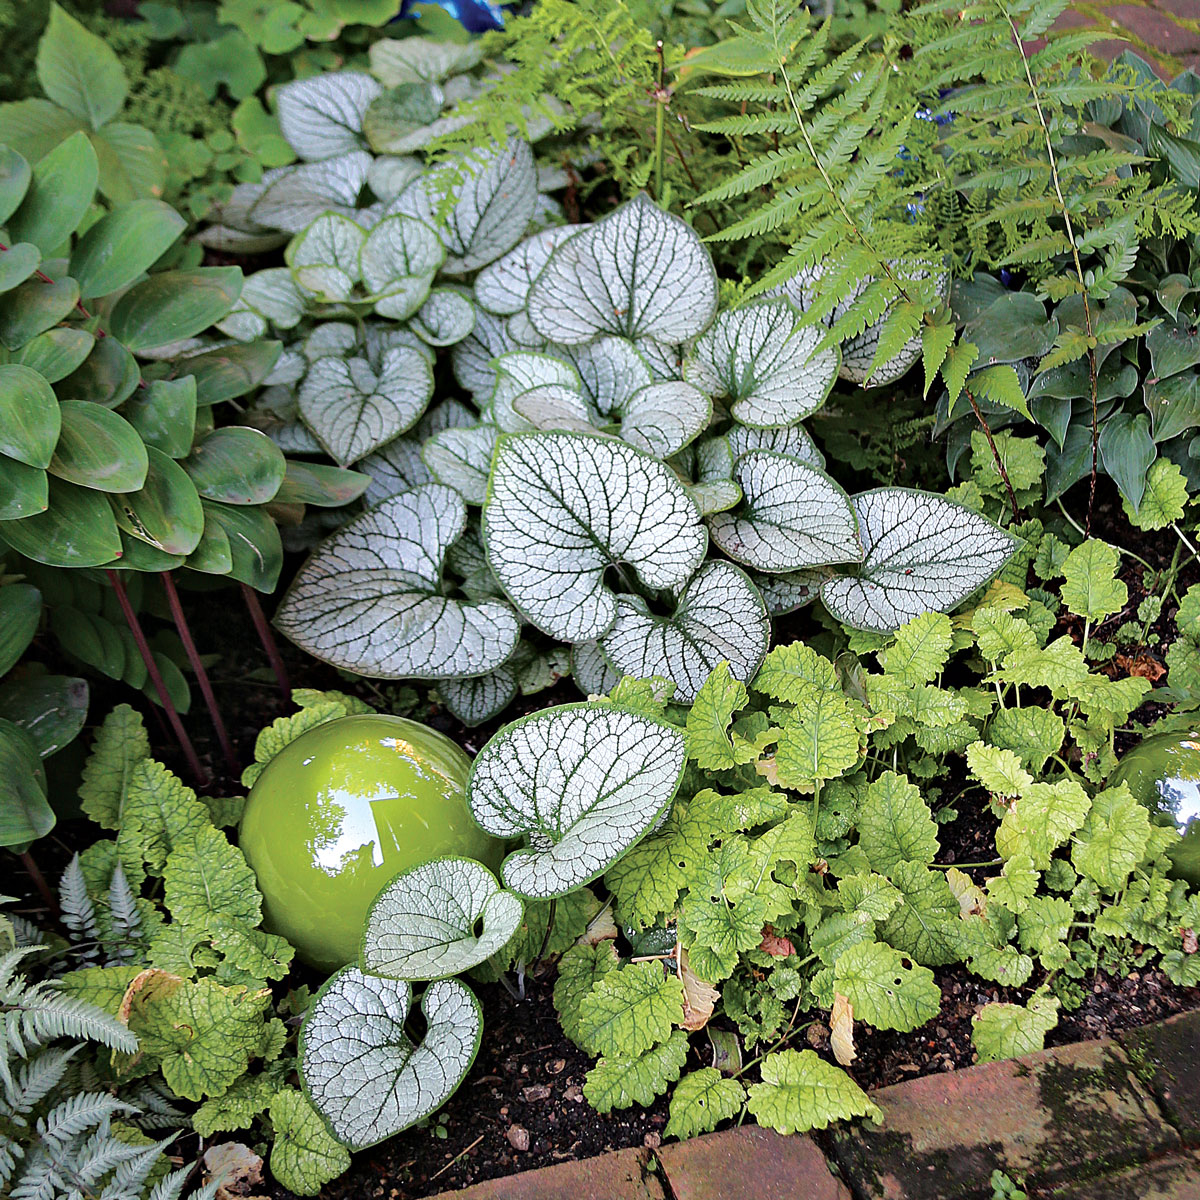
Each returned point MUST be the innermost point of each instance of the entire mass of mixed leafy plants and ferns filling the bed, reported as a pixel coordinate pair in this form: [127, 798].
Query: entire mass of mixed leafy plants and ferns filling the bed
[765, 376]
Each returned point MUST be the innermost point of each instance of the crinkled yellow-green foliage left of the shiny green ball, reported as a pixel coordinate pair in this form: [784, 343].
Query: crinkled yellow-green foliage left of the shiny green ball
[164, 929]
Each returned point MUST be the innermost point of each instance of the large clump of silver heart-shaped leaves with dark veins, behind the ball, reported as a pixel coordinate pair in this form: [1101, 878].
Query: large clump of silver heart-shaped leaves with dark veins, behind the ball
[620, 428]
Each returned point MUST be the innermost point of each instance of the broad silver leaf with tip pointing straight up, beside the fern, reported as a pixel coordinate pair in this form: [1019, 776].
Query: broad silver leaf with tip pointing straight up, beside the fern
[639, 273]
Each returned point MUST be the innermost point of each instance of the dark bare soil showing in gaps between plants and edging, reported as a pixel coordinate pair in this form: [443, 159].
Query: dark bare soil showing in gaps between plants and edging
[523, 1105]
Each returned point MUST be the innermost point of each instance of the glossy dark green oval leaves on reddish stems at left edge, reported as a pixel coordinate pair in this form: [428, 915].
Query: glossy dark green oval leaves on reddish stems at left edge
[110, 455]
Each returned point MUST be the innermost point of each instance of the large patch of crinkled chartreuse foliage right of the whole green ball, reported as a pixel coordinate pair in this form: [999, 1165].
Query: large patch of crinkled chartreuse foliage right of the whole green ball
[797, 871]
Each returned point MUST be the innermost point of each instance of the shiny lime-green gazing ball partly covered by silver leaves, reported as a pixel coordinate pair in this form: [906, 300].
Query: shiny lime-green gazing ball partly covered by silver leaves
[343, 811]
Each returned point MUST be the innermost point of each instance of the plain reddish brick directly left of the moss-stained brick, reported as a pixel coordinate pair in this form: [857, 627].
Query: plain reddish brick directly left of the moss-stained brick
[749, 1165]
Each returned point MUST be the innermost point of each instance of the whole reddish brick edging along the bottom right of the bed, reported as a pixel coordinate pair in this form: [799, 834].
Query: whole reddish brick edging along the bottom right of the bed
[1111, 1120]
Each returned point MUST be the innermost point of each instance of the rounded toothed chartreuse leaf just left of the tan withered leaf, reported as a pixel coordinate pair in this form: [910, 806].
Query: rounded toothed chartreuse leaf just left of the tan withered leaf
[632, 1010]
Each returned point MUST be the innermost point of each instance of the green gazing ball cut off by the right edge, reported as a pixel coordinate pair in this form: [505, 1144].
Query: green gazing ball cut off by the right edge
[1165, 775]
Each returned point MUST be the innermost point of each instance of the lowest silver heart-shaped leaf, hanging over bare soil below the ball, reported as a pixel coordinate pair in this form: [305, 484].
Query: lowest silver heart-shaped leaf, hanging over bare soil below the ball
[362, 1071]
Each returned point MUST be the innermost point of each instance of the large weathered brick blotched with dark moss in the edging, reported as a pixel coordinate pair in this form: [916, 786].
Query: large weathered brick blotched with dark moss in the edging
[1048, 1118]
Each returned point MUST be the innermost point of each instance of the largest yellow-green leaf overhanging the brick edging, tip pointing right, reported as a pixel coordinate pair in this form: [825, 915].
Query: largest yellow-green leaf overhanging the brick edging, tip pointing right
[801, 1091]
